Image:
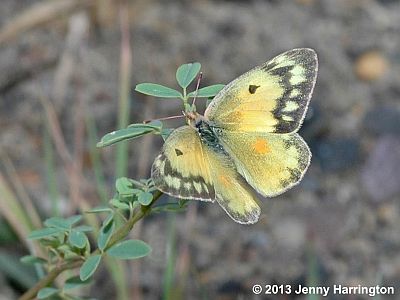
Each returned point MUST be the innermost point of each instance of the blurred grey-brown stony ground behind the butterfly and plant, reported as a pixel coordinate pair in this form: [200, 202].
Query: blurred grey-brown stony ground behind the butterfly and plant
[341, 225]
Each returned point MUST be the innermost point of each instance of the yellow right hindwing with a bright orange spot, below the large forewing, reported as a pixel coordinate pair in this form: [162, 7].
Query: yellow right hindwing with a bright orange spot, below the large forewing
[270, 163]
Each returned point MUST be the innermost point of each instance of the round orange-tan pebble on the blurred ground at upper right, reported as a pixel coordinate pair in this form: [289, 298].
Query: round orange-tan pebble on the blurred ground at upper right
[370, 66]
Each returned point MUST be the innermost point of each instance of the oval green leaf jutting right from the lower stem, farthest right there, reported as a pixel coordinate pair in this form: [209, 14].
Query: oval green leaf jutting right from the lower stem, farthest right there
[129, 249]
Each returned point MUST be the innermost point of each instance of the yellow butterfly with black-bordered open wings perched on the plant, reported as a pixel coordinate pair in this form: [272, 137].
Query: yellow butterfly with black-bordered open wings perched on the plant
[247, 140]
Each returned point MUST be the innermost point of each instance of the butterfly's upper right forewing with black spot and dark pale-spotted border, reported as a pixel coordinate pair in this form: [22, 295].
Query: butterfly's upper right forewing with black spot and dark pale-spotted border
[271, 98]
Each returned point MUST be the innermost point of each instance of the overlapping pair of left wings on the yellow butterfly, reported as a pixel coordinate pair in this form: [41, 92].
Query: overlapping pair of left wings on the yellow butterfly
[189, 168]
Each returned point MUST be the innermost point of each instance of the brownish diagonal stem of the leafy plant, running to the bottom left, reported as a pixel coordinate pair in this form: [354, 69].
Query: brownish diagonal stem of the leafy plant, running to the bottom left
[119, 235]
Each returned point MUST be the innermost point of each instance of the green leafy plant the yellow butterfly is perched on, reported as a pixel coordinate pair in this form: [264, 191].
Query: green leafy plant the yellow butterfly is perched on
[66, 241]
